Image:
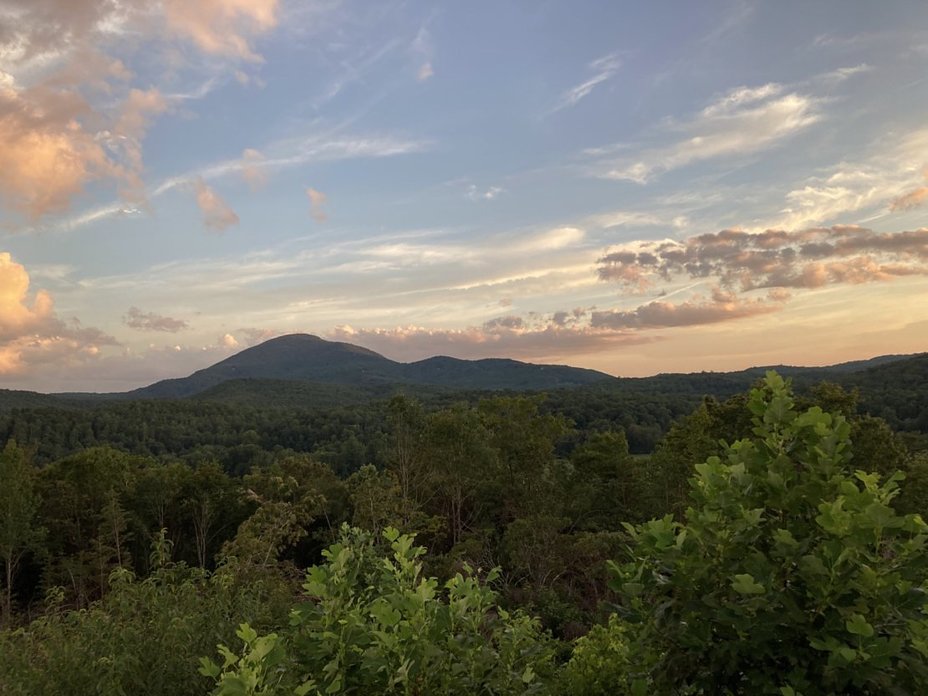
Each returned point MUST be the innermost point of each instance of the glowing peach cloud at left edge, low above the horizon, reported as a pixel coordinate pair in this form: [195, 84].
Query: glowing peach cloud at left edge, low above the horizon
[30, 331]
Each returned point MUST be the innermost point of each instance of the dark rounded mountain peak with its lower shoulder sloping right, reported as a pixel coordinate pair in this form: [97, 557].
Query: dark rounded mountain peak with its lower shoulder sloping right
[305, 358]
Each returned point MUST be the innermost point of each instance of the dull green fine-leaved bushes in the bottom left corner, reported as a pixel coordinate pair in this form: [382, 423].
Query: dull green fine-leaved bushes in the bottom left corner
[142, 638]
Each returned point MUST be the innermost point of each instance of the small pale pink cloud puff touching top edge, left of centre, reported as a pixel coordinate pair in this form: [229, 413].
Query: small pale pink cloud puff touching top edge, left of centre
[222, 27]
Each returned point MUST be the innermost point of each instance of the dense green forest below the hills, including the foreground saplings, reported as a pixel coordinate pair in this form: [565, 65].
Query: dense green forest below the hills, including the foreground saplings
[593, 540]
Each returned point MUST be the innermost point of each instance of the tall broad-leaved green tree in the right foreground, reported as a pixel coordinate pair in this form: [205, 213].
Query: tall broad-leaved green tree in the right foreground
[790, 574]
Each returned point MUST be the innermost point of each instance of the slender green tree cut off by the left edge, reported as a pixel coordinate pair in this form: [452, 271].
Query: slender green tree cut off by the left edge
[19, 505]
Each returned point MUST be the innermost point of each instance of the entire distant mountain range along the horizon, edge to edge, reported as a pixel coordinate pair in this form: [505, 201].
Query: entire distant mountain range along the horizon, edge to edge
[300, 369]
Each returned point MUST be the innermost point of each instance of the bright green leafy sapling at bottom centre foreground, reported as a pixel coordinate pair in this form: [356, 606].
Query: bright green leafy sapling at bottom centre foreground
[375, 625]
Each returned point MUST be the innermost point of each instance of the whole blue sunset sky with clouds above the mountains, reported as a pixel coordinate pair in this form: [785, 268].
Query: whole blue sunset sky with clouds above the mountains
[631, 187]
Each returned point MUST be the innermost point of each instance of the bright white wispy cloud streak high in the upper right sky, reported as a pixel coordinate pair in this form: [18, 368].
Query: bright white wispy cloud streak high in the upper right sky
[746, 120]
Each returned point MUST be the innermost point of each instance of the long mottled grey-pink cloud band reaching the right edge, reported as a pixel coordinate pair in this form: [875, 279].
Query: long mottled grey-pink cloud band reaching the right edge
[808, 258]
